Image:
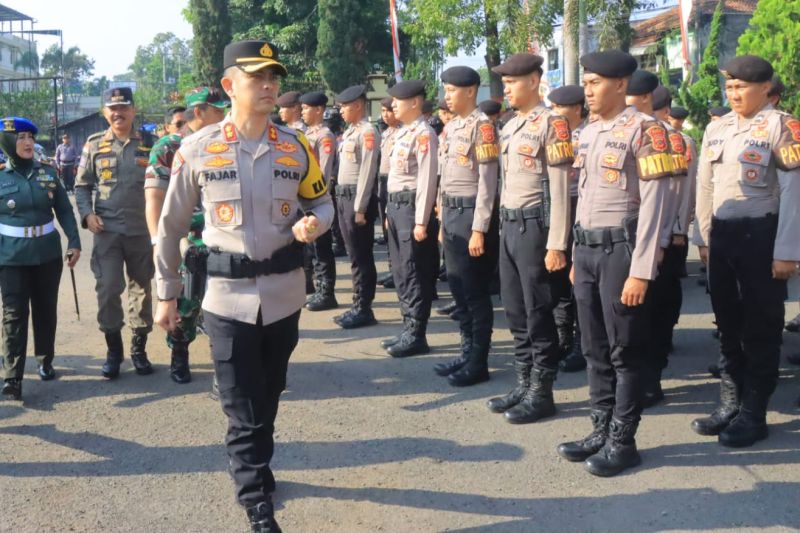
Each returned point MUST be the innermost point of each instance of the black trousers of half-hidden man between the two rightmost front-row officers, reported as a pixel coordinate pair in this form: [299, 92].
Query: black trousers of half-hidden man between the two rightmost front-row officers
[666, 297]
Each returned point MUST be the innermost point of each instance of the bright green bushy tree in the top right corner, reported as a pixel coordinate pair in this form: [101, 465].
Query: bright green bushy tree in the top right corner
[773, 34]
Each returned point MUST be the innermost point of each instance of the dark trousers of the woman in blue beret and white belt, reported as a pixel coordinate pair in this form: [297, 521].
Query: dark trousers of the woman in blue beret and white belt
[30, 290]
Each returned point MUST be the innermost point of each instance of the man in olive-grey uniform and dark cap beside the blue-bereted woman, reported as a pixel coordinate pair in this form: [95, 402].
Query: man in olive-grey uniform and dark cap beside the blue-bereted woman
[109, 193]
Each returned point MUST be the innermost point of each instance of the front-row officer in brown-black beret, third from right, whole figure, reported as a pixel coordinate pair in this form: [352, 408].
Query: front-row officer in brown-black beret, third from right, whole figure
[536, 148]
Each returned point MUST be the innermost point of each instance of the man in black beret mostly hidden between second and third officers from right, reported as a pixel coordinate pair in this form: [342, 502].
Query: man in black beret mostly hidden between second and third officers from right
[568, 101]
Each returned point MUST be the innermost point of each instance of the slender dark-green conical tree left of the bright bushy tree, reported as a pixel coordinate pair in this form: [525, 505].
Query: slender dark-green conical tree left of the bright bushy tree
[705, 93]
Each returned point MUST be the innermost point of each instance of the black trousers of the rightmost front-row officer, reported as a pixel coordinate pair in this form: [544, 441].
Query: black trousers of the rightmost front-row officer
[748, 302]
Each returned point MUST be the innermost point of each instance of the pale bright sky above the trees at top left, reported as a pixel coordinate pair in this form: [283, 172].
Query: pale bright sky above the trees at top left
[107, 31]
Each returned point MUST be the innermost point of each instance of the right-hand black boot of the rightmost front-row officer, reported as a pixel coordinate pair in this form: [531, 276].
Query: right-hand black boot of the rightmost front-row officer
[750, 425]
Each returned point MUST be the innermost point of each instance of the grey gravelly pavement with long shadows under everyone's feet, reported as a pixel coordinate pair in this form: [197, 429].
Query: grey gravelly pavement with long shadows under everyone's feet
[366, 443]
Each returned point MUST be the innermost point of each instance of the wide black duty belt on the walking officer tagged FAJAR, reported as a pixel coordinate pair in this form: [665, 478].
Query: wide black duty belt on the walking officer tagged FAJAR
[238, 266]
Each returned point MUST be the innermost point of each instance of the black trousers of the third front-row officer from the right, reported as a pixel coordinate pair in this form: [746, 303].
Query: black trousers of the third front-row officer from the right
[529, 292]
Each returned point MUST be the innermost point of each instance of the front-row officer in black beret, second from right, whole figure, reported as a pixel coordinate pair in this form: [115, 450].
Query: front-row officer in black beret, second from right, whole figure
[622, 157]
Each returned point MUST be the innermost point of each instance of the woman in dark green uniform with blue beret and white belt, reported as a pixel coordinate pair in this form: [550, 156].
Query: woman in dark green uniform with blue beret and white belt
[30, 252]
